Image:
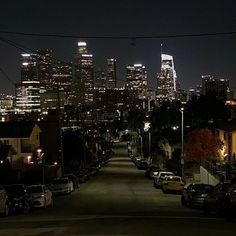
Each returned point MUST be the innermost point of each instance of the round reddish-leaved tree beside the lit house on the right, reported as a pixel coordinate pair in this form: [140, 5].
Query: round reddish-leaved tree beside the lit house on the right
[201, 145]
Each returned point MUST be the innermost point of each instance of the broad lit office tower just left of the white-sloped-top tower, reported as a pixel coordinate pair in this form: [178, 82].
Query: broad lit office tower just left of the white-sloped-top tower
[137, 80]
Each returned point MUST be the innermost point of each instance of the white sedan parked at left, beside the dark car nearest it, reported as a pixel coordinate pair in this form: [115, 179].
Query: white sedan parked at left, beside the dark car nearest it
[42, 195]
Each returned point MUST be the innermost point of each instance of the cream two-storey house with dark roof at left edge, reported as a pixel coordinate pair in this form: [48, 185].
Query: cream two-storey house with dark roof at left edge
[23, 138]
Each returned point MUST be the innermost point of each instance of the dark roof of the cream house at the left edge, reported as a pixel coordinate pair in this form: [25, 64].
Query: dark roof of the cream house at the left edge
[16, 129]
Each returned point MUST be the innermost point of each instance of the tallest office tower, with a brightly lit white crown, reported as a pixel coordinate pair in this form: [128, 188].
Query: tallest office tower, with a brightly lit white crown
[83, 77]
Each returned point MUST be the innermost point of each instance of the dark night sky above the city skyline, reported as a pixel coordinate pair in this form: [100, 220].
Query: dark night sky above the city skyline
[193, 56]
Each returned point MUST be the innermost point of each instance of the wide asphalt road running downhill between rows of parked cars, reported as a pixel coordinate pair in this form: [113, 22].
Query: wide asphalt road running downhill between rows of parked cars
[119, 201]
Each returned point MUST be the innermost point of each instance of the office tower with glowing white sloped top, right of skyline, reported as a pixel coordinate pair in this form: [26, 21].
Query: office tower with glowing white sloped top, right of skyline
[166, 79]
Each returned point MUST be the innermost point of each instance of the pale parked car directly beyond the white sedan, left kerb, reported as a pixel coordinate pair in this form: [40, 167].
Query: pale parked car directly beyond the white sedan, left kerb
[62, 186]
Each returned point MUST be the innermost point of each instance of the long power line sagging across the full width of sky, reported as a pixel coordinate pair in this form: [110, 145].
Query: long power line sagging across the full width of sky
[228, 33]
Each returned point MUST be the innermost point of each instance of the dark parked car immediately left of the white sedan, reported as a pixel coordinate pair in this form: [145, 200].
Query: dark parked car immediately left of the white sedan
[20, 198]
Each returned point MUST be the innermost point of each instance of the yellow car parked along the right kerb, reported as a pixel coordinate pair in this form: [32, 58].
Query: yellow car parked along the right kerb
[172, 183]
